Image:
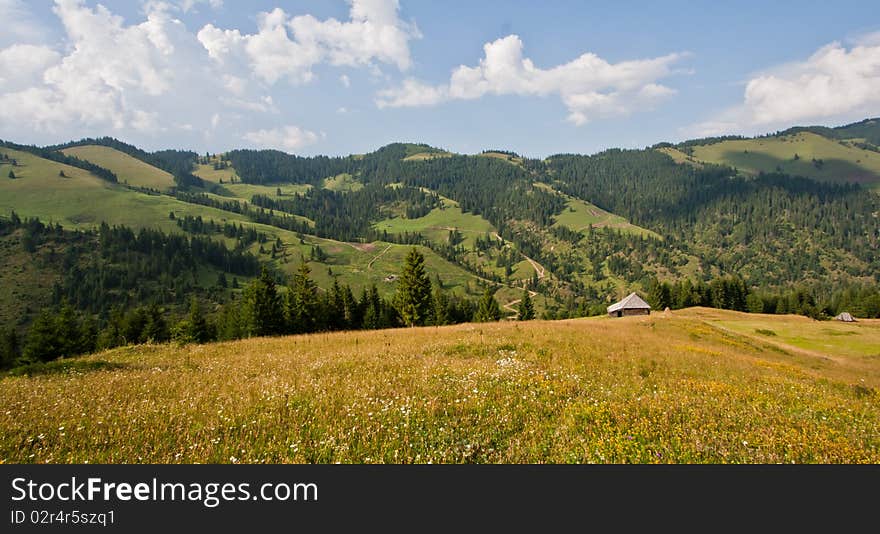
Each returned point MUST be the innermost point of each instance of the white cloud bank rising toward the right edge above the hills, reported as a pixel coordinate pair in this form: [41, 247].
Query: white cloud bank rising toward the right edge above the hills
[835, 83]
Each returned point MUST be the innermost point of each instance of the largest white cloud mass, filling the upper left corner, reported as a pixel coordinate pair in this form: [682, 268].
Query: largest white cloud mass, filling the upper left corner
[108, 77]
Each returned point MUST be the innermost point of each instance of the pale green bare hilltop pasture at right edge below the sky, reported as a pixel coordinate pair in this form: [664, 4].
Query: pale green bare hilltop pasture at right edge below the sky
[842, 162]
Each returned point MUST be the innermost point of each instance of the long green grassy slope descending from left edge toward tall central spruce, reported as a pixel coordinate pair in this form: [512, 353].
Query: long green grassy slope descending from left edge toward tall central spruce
[82, 201]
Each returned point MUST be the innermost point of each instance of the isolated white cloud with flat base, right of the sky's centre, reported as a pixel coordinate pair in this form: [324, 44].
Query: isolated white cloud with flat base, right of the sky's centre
[589, 86]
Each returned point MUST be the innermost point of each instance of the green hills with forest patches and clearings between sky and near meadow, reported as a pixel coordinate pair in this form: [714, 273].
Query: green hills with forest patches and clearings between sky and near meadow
[576, 231]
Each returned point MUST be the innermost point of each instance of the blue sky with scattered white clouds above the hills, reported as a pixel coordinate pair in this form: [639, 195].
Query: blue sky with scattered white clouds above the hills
[341, 77]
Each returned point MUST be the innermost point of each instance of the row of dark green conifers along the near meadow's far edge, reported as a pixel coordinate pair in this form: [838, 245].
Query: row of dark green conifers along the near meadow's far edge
[263, 309]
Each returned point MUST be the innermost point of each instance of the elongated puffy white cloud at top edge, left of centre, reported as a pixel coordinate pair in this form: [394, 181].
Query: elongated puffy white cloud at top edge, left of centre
[289, 47]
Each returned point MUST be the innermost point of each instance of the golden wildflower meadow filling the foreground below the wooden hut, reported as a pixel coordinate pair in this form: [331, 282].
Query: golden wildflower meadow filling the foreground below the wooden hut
[672, 388]
